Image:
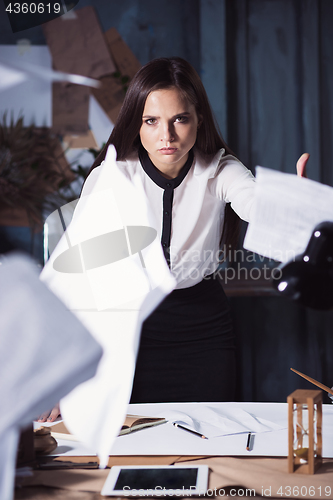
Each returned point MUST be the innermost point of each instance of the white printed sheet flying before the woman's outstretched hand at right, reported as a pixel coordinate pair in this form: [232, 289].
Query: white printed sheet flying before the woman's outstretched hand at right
[285, 212]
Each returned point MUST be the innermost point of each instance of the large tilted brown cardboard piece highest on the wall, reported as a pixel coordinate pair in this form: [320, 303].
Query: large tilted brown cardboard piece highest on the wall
[78, 45]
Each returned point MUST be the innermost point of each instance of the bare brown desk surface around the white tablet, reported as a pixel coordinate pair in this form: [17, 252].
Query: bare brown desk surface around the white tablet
[267, 477]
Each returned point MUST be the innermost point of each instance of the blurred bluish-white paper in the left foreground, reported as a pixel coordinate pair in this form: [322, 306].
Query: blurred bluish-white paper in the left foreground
[44, 352]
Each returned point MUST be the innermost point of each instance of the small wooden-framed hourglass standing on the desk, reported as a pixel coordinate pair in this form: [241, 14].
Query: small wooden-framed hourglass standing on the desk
[304, 431]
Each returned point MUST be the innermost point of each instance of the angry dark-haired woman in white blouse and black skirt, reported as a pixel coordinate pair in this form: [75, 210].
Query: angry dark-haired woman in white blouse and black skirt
[166, 133]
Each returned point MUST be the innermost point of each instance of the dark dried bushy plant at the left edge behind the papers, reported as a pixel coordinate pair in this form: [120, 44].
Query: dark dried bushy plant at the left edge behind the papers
[33, 168]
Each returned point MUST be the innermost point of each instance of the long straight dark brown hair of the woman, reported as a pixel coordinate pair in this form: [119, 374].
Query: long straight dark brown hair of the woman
[164, 73]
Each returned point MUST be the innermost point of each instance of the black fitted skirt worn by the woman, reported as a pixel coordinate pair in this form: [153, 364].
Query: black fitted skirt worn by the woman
[187, 348]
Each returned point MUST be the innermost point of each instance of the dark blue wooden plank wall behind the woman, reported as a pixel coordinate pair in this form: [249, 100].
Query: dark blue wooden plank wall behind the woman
[267, 66]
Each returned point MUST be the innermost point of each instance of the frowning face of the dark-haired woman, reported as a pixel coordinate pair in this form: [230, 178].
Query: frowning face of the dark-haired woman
[168, 130]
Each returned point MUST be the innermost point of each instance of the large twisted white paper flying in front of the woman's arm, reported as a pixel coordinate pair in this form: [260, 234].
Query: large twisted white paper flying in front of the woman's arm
[109, 269]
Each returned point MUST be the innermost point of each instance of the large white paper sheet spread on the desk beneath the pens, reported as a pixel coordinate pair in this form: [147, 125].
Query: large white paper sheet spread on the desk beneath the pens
[175, 441]
